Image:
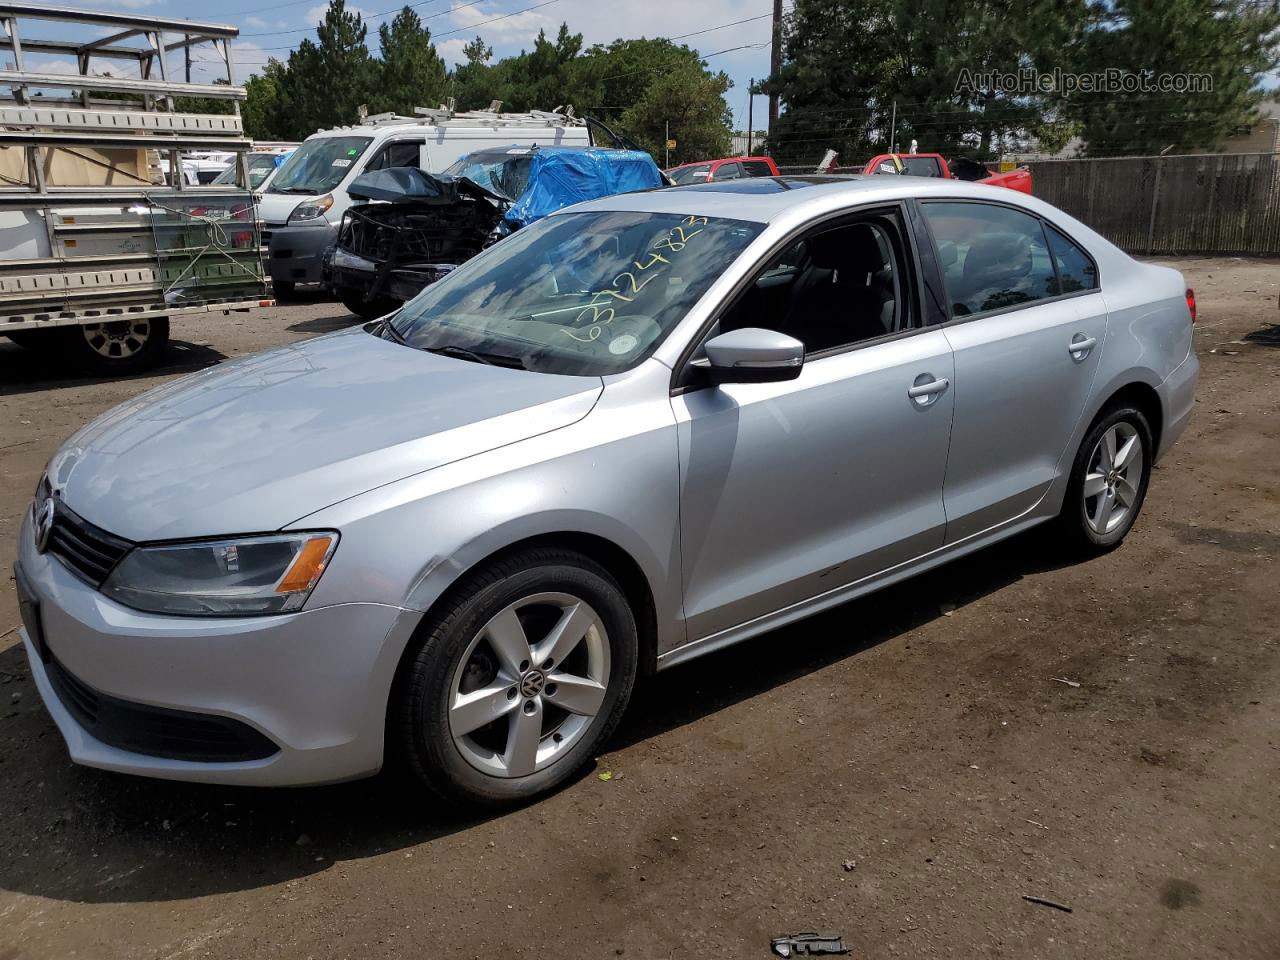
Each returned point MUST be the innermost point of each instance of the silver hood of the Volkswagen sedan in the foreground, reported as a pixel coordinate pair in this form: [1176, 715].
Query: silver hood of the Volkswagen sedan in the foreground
[254, 445]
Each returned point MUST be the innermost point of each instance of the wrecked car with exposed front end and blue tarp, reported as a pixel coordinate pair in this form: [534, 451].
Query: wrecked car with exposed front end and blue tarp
[418, 227]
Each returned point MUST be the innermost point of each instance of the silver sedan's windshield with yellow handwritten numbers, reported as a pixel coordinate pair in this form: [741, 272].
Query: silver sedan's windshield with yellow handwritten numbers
[587, 294]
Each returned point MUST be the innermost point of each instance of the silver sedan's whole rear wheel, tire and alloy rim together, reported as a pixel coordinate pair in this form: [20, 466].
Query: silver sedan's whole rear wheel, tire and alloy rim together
[1109, 481]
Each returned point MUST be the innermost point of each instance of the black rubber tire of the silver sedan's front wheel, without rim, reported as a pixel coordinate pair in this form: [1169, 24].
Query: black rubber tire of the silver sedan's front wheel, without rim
[419, 732]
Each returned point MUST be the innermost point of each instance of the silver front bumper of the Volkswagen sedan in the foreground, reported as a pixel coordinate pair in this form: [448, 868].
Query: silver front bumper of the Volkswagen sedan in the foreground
[314, 684]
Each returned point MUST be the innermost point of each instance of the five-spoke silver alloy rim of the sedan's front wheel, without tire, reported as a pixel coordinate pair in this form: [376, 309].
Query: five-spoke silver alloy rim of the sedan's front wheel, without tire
[531, 684]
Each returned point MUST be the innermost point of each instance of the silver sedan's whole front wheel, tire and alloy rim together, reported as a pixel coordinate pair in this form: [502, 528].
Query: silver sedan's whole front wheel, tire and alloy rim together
[516, 685]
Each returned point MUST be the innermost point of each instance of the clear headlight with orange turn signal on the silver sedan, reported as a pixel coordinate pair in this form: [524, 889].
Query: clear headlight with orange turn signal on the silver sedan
[236, 578]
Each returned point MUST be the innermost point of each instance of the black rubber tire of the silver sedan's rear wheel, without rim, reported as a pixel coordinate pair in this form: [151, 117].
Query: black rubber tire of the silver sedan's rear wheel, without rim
[1080, 532]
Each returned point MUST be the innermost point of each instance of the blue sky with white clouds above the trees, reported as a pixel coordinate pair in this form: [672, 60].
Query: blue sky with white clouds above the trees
[273, 28]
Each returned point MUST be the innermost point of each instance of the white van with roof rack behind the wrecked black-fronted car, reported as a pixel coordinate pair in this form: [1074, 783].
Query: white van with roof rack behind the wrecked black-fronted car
[303, 205]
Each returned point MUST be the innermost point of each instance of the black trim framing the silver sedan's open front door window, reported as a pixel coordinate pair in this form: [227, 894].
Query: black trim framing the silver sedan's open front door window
[683, 373]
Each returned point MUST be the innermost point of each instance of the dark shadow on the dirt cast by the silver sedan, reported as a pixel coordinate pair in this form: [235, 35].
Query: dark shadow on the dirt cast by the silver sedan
[81, 835]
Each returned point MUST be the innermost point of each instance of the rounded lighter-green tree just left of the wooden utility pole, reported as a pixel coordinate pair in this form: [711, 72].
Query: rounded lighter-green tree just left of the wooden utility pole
[689, 102]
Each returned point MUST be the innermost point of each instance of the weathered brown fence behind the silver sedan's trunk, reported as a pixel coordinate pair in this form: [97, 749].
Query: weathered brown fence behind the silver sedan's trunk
[1206, 204]
